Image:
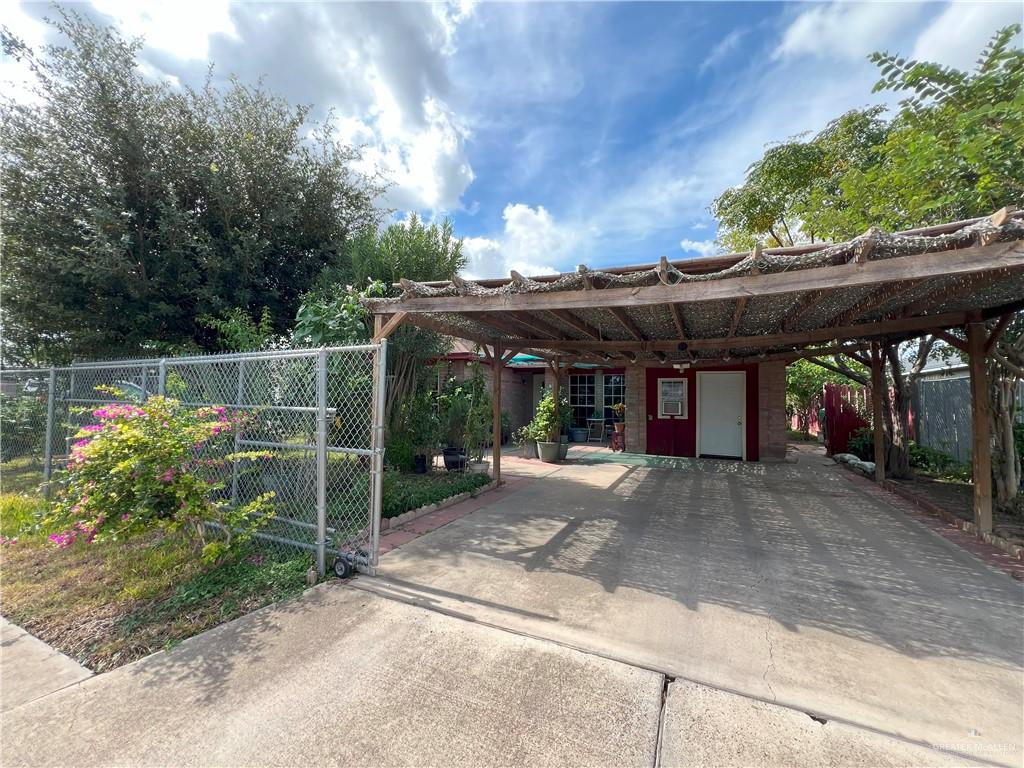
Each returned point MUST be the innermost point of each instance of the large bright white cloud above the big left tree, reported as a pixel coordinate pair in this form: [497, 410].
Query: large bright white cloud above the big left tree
[381, 68]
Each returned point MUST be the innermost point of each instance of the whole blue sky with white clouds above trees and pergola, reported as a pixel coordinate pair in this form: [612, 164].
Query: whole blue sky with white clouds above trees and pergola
[554, 135]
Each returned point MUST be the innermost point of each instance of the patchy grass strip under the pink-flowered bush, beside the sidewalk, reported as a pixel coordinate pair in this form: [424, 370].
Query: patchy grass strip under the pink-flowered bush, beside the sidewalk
[110, 604]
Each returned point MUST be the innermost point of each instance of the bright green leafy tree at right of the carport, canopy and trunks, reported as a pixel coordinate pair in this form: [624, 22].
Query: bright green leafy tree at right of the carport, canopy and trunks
[954, 150]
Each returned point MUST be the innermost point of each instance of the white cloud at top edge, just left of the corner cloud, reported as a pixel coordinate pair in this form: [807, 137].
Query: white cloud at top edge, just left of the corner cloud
[845, 30]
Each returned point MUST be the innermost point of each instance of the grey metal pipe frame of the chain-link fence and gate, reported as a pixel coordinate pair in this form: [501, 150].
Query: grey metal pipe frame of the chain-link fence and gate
[365, 562]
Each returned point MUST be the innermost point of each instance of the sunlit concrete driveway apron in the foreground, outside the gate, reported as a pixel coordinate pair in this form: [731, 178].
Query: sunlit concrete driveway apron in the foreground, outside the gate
[342, 677]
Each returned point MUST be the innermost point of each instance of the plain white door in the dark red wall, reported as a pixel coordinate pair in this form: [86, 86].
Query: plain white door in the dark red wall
[721, 406]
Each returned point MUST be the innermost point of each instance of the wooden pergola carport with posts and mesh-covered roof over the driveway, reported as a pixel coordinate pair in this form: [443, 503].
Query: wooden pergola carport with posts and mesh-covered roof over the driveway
[854, 298]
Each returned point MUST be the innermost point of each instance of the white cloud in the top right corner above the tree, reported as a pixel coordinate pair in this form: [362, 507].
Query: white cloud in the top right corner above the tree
[960, 33]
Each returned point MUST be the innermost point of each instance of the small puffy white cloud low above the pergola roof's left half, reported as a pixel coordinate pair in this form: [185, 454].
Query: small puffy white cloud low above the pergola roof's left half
[531, 244]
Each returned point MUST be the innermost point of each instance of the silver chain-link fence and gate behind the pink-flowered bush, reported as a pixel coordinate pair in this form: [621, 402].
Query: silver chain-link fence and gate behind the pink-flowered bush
[316, 413]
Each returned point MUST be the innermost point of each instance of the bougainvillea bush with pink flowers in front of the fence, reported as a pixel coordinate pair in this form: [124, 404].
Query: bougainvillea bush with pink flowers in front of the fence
[157, 465]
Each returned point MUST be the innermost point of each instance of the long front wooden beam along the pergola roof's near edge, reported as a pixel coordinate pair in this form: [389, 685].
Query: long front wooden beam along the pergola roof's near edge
[965, 262]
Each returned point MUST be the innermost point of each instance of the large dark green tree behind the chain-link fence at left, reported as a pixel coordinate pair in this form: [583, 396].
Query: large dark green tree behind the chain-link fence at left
[133, 208]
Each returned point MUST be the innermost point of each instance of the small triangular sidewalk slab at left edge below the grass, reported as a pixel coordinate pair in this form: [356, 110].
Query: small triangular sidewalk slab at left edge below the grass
[30, 668]
